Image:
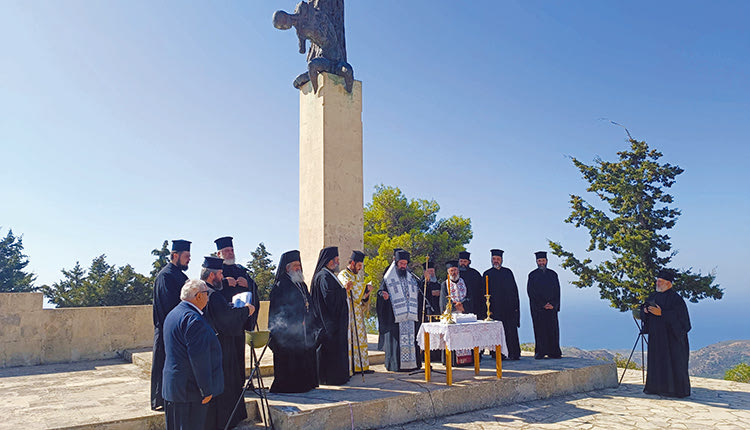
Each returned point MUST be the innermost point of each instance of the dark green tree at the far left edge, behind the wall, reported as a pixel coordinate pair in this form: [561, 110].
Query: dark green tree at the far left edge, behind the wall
[13, 278]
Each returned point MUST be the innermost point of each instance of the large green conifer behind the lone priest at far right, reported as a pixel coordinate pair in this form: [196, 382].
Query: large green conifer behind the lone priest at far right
[630, 230]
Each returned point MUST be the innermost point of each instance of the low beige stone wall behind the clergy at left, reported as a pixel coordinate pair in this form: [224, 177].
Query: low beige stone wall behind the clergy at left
[30, 335]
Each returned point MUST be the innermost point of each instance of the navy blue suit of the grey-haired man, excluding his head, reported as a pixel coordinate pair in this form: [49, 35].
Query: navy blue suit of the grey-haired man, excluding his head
[192, 367]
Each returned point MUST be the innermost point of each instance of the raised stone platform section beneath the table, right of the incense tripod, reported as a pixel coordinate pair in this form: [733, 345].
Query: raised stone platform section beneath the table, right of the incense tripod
[388, 398]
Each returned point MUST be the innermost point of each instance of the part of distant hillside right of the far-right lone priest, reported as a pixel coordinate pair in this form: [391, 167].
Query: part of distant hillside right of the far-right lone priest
[713, 360]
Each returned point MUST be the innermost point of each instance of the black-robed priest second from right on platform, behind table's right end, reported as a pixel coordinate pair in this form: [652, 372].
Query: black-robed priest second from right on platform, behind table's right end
[504, 303]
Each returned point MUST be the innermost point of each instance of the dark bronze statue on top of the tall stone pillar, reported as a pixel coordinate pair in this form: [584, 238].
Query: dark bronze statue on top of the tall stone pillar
[322, 23]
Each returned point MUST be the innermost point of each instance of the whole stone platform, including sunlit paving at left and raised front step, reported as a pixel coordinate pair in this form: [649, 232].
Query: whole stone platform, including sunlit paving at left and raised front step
[114, 394]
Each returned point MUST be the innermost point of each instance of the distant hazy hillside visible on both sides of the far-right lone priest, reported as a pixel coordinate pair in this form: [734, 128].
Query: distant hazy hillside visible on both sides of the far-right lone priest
[709, 362]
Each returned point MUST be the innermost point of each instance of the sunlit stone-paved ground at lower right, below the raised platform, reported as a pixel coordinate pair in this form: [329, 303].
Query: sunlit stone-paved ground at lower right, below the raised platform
[714, 404]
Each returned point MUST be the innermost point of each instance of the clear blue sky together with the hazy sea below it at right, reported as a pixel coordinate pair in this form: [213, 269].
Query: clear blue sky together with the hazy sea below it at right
[123, 124]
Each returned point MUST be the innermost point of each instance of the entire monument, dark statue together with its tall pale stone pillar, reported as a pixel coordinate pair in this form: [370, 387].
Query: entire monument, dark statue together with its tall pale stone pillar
[331, 186]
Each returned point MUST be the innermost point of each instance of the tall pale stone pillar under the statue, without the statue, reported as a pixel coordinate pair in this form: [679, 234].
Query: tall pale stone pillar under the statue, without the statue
[331, 186]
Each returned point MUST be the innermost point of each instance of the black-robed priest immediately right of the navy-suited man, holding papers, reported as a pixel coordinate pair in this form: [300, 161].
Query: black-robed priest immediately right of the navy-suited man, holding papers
[227, 321]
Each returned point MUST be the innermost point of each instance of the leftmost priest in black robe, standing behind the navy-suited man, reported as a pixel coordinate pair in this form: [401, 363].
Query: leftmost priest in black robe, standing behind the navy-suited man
[167, 286]
